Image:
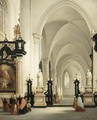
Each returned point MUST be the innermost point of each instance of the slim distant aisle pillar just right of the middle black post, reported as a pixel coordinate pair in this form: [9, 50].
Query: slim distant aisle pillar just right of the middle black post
[53, 74]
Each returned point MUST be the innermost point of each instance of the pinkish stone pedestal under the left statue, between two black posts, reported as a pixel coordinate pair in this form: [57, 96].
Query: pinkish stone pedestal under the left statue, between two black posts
[39, 99]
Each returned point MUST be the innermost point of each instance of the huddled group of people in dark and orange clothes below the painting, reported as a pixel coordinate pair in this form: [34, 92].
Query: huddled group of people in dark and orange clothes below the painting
[17, 105]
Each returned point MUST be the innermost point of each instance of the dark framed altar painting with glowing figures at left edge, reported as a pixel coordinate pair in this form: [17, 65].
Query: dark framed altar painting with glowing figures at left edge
[7, 78]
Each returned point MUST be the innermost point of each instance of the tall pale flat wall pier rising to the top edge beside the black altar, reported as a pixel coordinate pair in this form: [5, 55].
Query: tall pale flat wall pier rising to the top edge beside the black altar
[25, 28]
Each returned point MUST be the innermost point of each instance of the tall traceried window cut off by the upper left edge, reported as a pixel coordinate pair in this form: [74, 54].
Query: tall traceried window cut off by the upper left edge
[3, 14]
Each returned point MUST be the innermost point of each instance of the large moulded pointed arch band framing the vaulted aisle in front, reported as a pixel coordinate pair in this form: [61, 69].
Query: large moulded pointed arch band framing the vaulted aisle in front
[57, 5]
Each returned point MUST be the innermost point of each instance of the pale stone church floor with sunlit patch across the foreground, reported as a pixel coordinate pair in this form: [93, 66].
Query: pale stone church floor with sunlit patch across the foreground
[52, 113]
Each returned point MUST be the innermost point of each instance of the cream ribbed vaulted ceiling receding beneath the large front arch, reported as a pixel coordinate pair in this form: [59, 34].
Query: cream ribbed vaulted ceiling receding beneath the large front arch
[68, 40]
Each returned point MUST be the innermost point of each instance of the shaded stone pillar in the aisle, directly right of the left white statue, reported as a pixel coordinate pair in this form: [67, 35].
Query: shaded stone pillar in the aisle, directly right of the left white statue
[45, 62]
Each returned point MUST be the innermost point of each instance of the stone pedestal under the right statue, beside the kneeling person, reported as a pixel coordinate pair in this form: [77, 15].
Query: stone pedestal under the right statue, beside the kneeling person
[88, 97]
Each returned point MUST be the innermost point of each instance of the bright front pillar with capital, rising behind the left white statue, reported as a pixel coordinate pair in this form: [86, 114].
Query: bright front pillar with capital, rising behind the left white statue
[37, 52]
